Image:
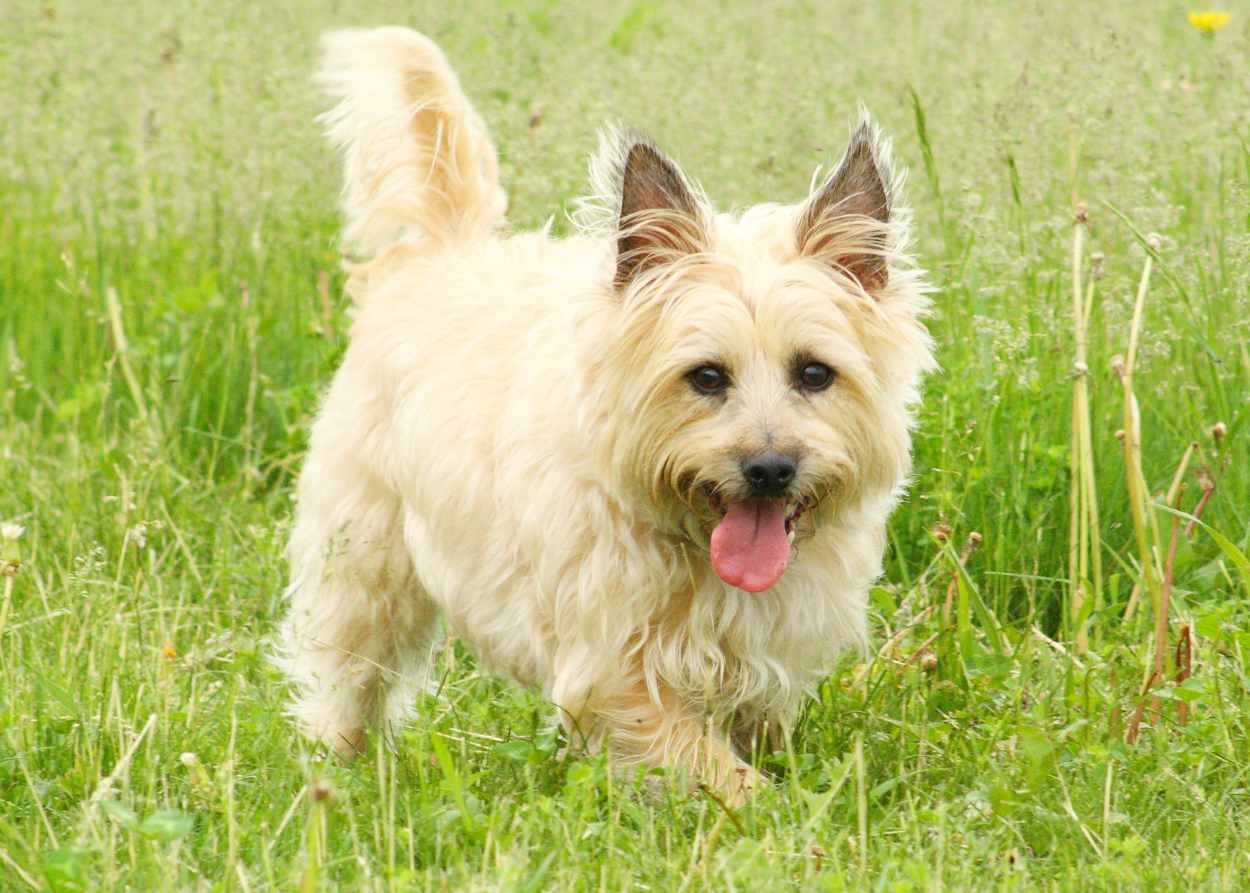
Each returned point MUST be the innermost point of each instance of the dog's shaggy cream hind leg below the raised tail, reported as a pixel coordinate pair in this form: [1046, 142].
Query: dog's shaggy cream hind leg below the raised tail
[361, 628]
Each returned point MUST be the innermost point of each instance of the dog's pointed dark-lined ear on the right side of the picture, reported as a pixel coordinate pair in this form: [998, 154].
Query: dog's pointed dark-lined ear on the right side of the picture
[847, 222]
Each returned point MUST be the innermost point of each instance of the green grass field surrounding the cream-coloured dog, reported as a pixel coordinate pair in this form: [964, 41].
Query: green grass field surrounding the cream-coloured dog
[169, 313]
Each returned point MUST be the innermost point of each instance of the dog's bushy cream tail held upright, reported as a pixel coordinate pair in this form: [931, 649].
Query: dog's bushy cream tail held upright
[418, 161]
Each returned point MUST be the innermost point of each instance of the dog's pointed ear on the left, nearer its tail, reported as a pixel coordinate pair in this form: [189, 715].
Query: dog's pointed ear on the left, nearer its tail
[659, 217]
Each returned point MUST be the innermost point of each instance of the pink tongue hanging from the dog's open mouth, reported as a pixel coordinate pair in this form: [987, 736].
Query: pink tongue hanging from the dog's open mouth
[751, 548]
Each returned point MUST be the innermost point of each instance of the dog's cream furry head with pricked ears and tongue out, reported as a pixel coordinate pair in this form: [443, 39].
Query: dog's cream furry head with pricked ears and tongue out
[761, 367]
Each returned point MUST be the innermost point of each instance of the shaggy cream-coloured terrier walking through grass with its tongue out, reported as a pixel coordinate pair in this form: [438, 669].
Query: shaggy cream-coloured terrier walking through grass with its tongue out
[646, 468]
